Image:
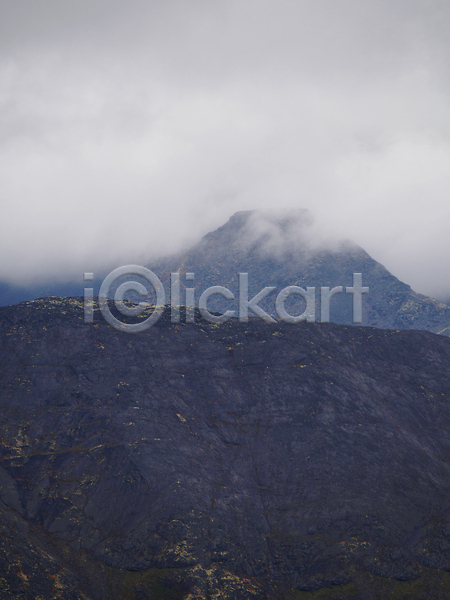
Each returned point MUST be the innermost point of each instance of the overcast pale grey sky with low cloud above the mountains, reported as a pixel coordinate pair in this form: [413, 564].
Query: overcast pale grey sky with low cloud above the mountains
[130, 129]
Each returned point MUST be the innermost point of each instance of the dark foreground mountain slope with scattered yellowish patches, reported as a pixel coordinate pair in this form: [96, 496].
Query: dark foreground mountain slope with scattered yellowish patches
[235, 461]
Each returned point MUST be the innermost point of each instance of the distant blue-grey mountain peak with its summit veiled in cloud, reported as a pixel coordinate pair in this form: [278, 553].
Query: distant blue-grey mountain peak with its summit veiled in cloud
[277, 252]
